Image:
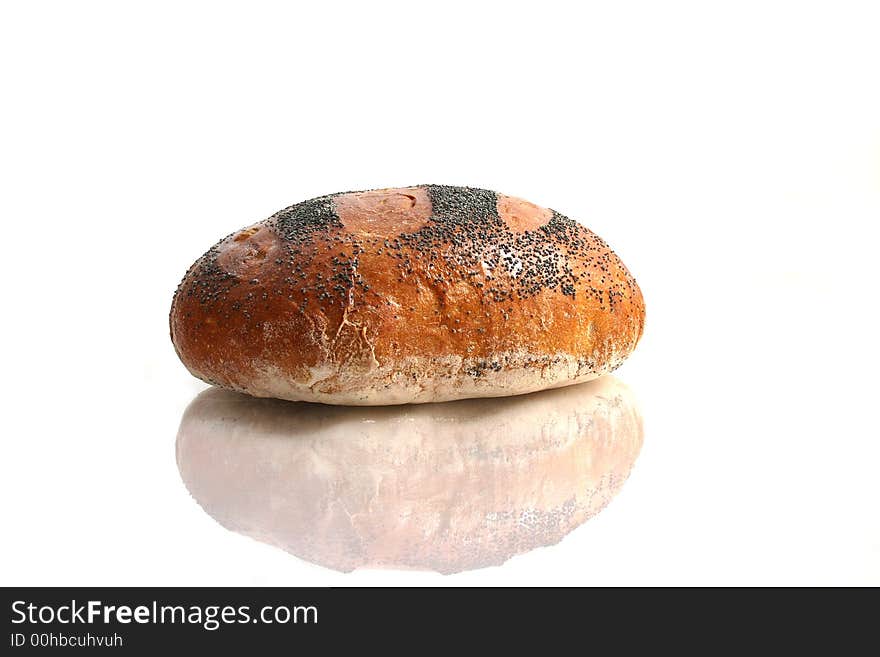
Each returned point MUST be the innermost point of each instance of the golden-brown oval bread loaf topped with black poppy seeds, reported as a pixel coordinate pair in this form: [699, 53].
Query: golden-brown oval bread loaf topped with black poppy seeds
[420, 294]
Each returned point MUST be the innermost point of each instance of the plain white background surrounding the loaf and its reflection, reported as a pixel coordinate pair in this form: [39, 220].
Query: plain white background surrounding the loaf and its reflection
[729, 152]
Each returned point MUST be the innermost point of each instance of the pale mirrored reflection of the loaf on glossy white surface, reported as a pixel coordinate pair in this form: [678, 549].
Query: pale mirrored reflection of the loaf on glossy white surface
[446, 487]
